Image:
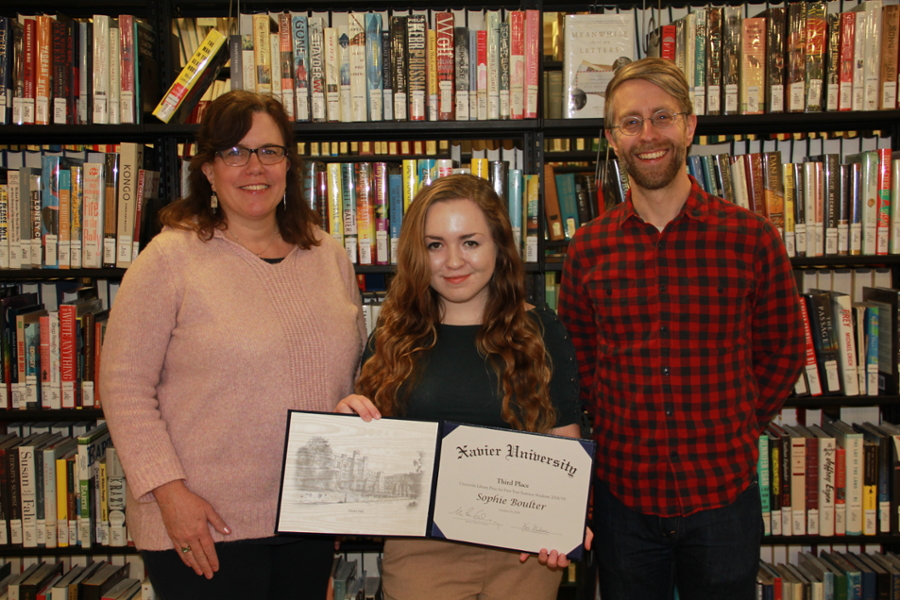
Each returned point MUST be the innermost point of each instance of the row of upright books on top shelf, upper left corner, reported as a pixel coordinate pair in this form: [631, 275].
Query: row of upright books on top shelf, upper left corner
[57, 70]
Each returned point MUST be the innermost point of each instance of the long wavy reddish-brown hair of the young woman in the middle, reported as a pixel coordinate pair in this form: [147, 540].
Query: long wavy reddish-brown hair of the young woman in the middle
[509, 339]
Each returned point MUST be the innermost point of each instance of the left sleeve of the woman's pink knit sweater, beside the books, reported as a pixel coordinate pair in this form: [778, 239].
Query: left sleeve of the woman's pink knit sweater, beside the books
[137, 336]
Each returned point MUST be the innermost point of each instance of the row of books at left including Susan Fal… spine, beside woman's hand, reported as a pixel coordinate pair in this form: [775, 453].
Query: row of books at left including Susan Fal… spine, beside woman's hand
[61, 491]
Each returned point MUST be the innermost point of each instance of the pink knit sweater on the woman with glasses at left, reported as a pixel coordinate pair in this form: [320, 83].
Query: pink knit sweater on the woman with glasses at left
[206, 349]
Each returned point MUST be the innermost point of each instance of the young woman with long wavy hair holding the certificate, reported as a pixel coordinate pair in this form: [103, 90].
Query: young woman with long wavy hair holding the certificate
[457, 341]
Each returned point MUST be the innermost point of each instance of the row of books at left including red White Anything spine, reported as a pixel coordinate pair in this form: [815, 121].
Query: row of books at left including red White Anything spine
[51, 355]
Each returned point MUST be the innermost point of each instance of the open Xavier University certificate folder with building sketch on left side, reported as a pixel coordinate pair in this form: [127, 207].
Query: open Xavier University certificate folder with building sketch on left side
[391, 477]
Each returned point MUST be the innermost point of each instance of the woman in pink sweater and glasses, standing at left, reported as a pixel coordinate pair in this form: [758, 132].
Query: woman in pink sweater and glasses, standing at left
[241, 309]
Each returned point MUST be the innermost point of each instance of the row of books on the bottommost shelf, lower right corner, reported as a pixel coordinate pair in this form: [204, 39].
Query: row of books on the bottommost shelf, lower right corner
[832, 575]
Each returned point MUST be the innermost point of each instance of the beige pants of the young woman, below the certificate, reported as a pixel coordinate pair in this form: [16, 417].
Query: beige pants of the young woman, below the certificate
[413, 569]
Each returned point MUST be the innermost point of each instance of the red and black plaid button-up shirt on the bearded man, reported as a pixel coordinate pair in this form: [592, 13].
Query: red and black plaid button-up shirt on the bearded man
[688, 342]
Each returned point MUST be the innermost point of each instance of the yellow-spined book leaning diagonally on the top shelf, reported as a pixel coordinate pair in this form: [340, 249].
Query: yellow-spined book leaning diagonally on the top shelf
[197, 75]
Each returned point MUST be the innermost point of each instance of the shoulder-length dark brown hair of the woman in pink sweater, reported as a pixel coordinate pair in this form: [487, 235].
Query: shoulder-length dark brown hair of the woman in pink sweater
[226, 122]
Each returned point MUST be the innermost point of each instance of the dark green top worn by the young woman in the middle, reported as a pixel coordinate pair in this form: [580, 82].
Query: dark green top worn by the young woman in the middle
[457, 384]
